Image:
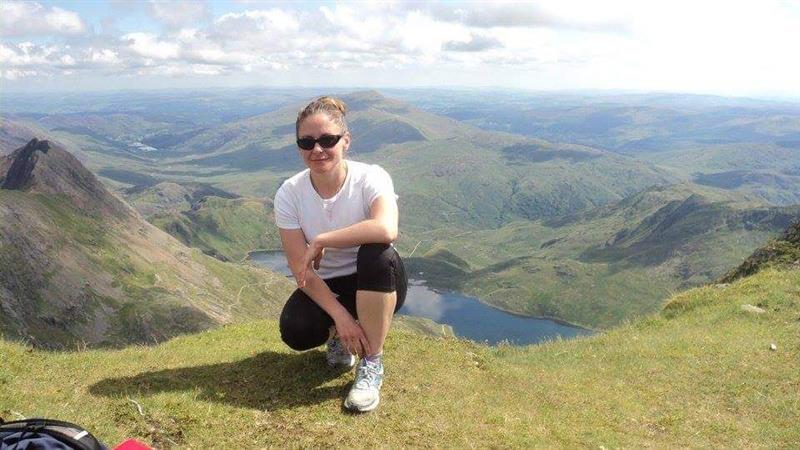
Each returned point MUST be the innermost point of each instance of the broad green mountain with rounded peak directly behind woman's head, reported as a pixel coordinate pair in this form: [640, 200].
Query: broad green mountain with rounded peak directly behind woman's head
[448, 174]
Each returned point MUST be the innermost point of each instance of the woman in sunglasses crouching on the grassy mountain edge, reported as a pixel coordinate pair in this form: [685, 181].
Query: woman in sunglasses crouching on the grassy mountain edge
[337, 221]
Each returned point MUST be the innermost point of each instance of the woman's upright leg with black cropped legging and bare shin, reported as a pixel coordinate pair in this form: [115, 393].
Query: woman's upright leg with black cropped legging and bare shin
[381, 291]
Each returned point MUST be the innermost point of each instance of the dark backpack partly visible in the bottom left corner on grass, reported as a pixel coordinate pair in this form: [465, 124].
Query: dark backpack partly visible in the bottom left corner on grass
[46, 434]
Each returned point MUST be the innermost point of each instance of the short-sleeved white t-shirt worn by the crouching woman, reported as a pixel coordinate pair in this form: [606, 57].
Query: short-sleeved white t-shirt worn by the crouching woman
[299, 206]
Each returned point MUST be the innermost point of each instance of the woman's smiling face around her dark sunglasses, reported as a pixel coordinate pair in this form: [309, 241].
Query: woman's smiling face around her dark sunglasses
[322, 160]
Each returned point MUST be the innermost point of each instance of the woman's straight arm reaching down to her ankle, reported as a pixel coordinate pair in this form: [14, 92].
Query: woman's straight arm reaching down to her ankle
[350, 332]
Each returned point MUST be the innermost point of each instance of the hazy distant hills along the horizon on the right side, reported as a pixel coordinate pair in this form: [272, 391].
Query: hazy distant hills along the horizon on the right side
[745, 145]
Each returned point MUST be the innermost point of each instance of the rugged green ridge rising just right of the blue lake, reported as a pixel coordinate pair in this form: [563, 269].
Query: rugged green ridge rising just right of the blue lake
[602, 266]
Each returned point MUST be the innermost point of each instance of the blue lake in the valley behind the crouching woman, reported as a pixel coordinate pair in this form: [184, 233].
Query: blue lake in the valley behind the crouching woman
[469, 318]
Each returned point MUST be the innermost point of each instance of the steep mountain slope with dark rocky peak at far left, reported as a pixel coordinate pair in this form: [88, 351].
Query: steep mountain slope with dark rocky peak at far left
[78, 266]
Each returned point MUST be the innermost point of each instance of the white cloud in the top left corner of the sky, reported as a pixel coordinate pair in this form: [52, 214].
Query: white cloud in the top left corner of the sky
[33, 19]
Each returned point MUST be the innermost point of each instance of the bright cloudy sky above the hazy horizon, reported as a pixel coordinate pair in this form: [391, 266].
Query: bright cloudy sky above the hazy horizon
[740, 48]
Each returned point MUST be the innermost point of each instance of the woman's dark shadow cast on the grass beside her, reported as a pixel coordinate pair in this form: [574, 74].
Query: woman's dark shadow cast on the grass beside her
[267, 381]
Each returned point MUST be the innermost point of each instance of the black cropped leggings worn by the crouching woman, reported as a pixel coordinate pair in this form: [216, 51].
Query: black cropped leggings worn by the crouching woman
[304, 325]
